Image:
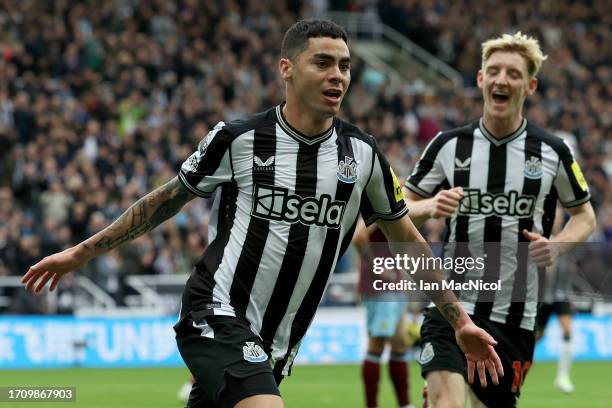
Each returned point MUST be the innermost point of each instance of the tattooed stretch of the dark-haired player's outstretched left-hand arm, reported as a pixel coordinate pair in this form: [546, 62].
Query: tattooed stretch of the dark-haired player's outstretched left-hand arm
[144, 215]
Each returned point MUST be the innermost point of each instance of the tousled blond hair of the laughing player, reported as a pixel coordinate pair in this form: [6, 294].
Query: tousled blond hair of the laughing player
[527, 47]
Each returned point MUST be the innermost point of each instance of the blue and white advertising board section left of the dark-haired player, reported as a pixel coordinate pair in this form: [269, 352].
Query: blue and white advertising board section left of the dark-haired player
[55, 342]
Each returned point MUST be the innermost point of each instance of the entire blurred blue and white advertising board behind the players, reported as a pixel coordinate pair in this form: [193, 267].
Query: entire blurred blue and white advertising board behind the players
[337, 336]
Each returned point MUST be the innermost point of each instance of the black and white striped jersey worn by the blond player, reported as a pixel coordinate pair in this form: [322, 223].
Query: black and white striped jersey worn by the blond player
[510, 185]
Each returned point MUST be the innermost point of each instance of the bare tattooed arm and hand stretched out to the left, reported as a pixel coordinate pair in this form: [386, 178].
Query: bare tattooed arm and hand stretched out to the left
[144, 215]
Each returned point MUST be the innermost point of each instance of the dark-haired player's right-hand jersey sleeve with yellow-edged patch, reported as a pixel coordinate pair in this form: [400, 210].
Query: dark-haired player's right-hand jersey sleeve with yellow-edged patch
[383, 197]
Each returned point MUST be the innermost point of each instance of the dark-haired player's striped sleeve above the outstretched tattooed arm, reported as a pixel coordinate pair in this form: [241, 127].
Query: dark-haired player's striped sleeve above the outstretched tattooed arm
[210, 165]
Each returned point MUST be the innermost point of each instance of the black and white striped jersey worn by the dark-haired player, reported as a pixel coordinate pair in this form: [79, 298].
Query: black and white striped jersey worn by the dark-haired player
[285, 211]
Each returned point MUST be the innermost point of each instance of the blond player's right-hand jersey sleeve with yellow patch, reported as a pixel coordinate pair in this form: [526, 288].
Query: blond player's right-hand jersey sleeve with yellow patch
[570, 183]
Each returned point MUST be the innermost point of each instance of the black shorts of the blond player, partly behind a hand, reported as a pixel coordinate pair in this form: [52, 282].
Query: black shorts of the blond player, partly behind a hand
[440, 352]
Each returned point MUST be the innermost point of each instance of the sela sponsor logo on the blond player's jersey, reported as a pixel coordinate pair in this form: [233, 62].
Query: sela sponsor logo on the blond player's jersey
[508, 203]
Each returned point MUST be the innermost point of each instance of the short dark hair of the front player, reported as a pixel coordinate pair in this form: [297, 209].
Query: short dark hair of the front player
[296, 37]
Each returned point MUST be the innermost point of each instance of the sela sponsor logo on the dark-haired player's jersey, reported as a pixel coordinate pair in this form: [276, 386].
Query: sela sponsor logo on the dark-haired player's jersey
[276, 204]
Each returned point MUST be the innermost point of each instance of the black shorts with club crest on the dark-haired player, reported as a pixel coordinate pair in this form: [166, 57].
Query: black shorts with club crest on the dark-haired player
[226, 358]
